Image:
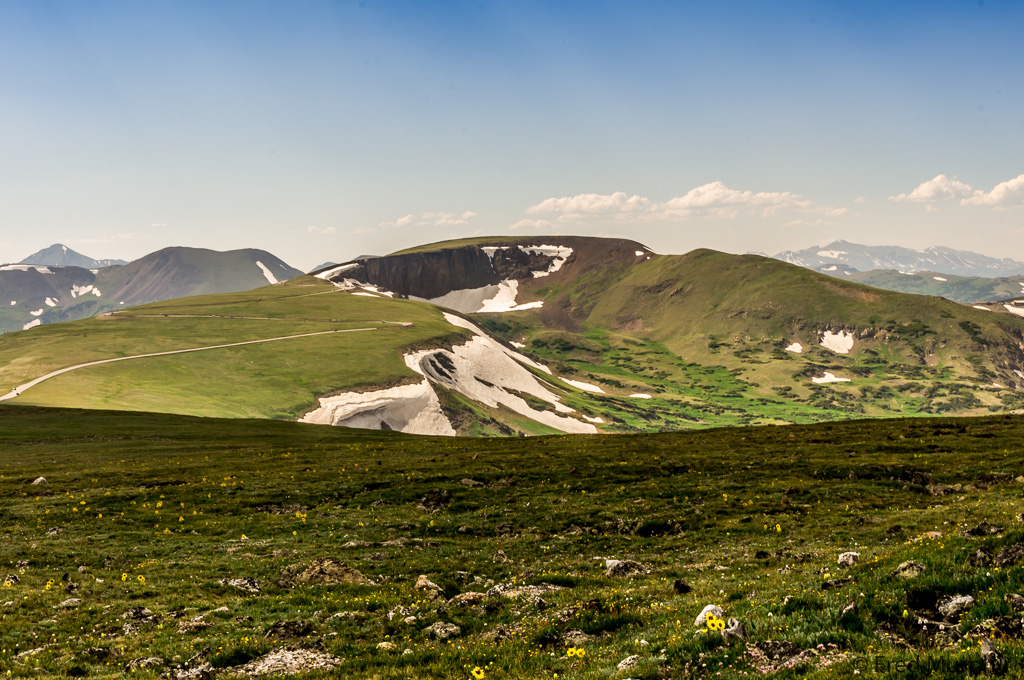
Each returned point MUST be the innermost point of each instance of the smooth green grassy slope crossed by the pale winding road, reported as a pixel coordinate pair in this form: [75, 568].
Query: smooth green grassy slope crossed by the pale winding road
[270, 380]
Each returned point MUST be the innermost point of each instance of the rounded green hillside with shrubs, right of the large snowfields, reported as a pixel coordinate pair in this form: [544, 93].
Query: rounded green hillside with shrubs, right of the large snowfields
[708, 330]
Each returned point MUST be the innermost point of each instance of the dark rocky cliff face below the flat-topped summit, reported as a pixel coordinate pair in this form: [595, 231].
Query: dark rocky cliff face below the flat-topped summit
[435, 274]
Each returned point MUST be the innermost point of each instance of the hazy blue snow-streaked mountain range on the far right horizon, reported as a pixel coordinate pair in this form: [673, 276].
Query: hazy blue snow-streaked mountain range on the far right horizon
[865, 259]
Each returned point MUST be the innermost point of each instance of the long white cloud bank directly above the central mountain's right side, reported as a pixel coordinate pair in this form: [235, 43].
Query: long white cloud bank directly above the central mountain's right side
[711, 200]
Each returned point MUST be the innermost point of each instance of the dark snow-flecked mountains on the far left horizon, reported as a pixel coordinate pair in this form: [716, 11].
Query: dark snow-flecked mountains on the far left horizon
[45, 292]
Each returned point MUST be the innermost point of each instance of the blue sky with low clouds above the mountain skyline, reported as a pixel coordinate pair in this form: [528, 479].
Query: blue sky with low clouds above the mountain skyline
[325, 131]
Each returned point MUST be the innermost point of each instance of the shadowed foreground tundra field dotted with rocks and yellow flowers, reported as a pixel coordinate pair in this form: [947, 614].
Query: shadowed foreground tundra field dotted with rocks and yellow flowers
[197, 548]
